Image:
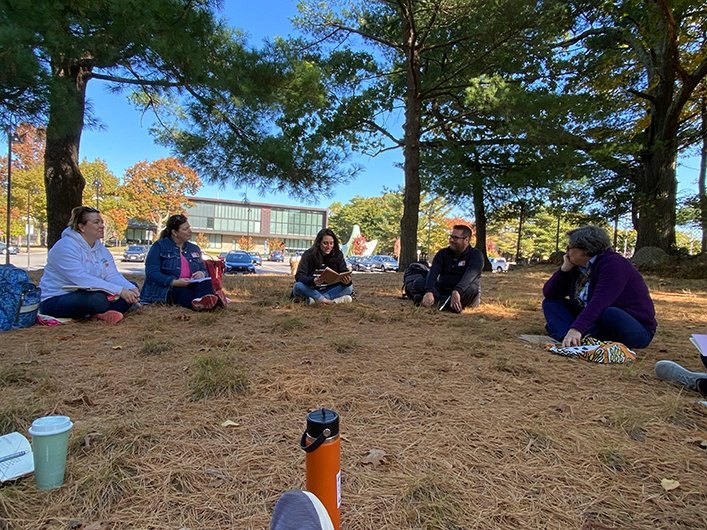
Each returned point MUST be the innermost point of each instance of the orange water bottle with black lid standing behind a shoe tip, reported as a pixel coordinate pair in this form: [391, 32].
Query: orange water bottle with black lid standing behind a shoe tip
[322, 444]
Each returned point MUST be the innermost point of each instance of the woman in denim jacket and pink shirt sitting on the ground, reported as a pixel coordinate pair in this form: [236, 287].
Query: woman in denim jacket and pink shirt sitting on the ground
[173, 268]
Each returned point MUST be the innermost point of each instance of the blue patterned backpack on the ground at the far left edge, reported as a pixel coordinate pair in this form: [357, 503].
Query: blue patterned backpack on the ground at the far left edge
[19, 298]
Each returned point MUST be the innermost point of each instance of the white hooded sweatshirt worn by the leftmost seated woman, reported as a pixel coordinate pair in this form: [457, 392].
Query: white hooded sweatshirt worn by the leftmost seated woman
[72, 262]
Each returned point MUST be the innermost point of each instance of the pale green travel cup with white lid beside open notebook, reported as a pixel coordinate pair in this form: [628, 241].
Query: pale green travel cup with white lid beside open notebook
[50, 442]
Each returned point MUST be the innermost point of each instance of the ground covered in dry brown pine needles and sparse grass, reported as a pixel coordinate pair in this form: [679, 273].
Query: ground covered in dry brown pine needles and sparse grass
[480, 429]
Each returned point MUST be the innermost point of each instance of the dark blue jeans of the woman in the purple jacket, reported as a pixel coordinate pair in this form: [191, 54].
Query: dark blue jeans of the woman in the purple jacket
[614, 324]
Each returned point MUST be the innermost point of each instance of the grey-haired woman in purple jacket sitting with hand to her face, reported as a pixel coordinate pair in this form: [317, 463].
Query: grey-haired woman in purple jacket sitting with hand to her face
[597, 292]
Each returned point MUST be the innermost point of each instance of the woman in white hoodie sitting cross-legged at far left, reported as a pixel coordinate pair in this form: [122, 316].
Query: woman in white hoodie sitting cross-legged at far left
[80, 279]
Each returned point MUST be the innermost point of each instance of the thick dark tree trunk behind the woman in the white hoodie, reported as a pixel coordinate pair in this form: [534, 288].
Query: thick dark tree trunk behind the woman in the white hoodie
[62, 177]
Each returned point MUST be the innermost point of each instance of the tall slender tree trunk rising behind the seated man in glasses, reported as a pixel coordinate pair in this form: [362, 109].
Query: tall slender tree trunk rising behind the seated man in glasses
[411, 146]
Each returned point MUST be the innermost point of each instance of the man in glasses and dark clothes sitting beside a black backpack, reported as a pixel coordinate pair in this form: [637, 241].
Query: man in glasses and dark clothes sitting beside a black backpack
[454, 279]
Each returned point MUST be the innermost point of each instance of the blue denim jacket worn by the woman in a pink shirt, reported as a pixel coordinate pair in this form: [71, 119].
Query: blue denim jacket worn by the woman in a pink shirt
[163, 264]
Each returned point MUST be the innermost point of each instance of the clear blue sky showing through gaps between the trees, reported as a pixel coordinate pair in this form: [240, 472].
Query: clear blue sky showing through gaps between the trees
[122, 139]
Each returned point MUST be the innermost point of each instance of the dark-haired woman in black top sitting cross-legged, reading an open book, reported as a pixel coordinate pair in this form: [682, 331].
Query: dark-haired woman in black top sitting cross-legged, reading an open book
[324, 253]
